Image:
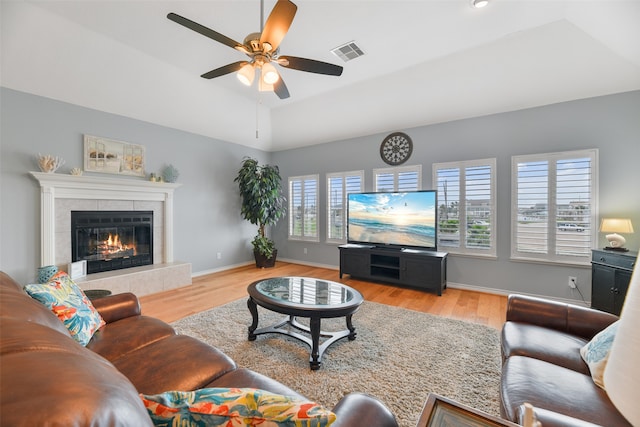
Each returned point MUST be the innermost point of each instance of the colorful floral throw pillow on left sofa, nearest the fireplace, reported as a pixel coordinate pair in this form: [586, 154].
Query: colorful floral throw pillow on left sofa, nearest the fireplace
[67, 301]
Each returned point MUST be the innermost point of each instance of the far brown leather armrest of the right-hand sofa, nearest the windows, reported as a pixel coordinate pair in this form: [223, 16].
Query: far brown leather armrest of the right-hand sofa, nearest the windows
[574, 319]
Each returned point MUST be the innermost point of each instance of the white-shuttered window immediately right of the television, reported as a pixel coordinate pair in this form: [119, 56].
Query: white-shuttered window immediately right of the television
[466, 201]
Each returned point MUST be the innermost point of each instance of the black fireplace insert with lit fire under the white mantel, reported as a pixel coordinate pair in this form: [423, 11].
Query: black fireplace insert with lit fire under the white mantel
[112, 240]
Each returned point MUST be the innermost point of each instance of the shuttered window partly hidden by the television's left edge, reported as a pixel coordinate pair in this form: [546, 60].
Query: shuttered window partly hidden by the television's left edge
[338, 186]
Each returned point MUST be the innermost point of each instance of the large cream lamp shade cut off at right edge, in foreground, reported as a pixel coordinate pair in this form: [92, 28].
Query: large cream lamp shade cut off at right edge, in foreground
[622, 373]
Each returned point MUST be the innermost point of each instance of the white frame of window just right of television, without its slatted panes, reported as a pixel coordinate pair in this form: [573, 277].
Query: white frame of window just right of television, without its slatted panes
[463, 248]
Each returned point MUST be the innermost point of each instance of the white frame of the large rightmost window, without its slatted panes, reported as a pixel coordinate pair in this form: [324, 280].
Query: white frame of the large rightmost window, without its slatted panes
[550, 255]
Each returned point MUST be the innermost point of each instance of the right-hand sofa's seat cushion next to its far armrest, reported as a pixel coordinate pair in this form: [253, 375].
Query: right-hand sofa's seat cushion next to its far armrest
[539, 342]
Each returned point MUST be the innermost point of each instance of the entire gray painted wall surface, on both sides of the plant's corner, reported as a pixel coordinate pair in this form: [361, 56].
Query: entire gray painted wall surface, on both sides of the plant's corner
[207, 217]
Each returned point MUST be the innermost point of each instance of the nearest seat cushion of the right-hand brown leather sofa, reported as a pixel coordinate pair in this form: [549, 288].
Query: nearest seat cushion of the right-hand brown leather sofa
[552, 387]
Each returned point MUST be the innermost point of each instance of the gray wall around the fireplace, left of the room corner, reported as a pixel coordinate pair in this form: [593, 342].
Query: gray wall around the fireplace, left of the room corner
[206, 206]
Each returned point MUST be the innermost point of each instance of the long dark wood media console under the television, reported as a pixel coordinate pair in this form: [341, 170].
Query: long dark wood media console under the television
[422, 269]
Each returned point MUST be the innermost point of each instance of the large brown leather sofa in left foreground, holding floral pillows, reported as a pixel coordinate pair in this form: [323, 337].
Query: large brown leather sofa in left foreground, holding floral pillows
[47, 378]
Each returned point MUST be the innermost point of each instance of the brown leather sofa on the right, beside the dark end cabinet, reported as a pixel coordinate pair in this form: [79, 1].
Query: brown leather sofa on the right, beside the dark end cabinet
[541, 364]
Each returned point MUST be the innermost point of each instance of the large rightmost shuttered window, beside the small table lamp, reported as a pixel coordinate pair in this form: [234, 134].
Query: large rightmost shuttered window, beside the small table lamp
[554, 206]
